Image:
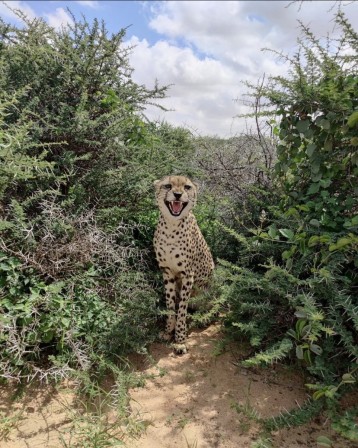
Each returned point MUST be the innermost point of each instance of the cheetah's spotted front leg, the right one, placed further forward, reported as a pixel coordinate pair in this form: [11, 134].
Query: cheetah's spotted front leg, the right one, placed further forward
[180, 327]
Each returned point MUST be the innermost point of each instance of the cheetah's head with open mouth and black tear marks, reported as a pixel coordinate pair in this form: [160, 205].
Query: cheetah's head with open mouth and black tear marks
[176, 196]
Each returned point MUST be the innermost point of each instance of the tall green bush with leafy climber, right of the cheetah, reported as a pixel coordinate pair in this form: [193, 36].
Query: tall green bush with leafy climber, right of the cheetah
[293, 289]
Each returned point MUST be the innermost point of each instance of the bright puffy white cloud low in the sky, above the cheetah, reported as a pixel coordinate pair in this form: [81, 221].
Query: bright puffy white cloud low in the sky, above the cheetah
[202, 90]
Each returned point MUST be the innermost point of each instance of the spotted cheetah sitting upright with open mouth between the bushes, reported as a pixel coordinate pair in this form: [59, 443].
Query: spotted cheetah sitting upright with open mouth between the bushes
[181, 252]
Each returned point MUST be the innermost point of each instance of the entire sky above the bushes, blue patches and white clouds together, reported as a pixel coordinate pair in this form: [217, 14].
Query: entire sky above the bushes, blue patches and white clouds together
[205, 50]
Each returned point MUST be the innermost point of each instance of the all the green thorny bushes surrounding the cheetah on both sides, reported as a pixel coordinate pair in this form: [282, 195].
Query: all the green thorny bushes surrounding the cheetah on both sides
[79, 283]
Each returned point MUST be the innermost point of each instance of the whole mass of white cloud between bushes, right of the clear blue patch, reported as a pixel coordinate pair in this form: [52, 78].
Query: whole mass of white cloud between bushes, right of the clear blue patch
[209, 47]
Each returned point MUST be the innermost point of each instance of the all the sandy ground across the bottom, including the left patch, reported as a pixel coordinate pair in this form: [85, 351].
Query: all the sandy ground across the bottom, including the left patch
[189, 401]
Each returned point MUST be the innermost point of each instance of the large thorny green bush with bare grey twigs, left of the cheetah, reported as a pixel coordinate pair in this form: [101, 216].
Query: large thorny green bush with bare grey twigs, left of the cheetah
[77, 163]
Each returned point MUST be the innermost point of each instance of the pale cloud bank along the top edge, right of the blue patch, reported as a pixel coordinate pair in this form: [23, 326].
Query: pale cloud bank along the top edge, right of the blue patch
[235, 32]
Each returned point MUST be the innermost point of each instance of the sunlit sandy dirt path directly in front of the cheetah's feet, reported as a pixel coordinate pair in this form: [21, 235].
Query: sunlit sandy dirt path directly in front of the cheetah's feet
[196, 400]
